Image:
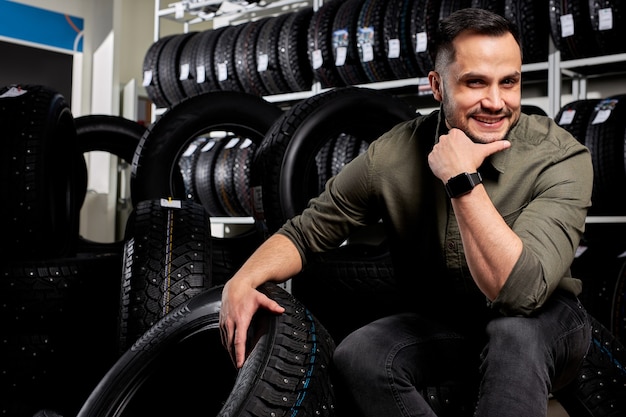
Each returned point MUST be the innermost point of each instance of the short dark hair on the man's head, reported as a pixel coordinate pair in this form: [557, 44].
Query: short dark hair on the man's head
[480, 21]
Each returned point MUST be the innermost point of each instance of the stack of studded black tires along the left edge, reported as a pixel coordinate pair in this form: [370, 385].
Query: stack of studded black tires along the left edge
[58, 292]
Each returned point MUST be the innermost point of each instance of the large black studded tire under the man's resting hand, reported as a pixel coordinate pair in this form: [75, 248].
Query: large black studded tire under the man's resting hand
[287, 371]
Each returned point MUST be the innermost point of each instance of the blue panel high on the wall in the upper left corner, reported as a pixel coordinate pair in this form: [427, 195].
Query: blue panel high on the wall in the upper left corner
[32, 24]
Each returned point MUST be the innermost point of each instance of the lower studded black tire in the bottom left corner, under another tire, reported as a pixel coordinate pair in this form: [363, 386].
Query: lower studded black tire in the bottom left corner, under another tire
[58, 330]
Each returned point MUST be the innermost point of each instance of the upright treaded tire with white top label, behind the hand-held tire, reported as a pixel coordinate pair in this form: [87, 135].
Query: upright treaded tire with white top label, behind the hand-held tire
[167, 260]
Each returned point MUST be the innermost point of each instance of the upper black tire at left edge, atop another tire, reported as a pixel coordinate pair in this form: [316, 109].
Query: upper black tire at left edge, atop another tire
[39, 167]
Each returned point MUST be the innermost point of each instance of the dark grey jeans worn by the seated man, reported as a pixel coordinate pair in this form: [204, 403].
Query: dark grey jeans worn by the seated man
[384, 364]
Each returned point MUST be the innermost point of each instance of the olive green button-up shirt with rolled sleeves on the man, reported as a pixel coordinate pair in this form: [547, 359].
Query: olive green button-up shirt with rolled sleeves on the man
[541, 186]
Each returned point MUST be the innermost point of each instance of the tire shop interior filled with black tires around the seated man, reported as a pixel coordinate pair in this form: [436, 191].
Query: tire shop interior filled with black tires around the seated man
[149, 147]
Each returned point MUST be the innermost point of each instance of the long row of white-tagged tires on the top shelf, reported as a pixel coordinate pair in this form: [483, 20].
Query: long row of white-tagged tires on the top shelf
[357, 42]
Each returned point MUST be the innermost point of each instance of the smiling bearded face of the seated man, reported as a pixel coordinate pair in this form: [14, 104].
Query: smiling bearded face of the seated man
[481, 89]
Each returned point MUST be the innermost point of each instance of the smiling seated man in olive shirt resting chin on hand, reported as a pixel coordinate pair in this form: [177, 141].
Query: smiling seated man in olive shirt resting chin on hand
[484, 208]
